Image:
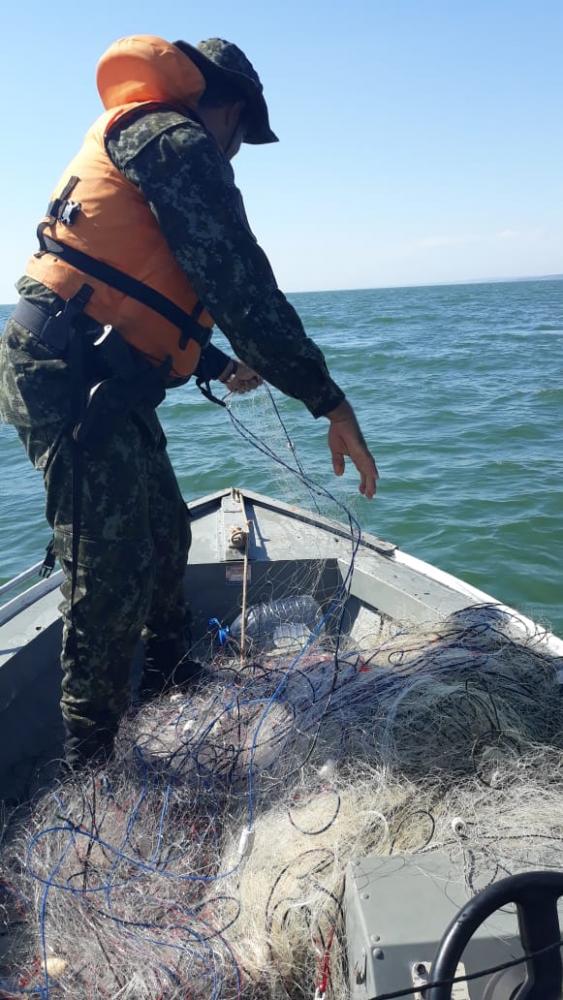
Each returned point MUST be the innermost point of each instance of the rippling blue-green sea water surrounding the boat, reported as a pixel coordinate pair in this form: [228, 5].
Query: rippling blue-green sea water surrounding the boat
[459, 392]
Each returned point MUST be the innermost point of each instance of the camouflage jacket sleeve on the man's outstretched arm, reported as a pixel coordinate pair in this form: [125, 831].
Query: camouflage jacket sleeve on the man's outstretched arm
[190, 187]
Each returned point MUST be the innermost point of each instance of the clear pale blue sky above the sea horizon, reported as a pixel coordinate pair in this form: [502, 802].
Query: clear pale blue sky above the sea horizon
[421, 141]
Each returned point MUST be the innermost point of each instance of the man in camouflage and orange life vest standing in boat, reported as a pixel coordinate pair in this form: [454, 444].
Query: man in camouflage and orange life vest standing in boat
[145, 245]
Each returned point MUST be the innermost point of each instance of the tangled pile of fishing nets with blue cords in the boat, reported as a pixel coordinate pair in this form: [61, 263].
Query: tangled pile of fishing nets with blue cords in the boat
[209, 860]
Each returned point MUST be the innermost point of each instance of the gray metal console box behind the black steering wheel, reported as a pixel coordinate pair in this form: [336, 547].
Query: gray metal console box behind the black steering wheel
[397, 909]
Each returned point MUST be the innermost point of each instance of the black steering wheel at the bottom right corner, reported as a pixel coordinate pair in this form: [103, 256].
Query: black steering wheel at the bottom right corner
[536, 895]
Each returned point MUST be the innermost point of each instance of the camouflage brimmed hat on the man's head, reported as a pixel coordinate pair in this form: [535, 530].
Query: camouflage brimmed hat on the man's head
[216, 56]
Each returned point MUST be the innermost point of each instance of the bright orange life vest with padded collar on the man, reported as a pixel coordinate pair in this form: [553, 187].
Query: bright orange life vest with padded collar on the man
[97, 212]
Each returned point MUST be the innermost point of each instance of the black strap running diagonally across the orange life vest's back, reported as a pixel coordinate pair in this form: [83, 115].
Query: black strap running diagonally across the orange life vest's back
[147, 296]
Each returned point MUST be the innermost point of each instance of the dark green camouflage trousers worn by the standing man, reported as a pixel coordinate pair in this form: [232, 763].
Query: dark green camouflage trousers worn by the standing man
[134, 533]
